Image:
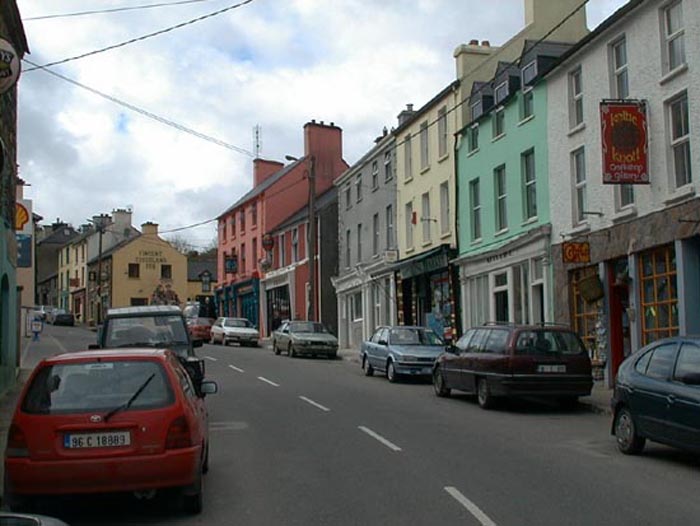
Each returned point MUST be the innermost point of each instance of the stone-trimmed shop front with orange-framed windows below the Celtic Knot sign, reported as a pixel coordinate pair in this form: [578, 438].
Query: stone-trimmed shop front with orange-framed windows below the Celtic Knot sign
[637, 283]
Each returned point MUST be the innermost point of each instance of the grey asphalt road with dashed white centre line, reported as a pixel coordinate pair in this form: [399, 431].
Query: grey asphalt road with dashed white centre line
[301, 441]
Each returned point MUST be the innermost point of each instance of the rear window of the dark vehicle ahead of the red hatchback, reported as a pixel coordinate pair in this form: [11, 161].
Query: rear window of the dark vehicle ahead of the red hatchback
[146, 331]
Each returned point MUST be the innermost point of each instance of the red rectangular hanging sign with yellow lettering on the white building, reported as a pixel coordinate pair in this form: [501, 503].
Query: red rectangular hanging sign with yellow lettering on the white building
[625, 142]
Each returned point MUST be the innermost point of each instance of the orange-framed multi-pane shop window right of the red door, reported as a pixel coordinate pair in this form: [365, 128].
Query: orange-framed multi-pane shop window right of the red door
[659, 294]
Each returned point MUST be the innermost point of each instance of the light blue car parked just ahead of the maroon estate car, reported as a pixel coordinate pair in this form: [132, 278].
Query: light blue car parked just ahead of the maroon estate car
[401, 350]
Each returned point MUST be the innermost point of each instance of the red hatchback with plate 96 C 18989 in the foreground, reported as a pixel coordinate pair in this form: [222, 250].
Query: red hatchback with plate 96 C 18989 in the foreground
[109, 421]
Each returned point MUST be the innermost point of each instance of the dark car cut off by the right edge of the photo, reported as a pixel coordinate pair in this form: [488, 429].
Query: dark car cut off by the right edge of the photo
[657, 396]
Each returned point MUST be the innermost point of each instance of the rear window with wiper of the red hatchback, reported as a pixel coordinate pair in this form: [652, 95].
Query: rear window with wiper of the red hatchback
[97, 386]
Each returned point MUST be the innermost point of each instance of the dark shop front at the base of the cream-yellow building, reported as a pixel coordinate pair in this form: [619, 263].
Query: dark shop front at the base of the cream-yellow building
[426, 292]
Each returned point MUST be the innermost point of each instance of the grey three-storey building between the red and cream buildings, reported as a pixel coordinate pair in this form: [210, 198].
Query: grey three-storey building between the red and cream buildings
[365, 284]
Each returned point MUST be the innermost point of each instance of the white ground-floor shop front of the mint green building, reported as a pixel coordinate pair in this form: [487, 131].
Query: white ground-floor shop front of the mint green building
[510, 284]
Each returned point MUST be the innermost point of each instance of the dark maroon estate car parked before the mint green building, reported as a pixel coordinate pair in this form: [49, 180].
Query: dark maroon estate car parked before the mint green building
[506, 360]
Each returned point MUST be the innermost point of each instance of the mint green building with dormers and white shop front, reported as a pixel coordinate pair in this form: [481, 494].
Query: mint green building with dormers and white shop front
[503, 202]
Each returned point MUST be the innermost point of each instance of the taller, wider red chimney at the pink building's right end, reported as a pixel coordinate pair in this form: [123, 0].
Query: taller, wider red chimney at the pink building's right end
[325, 143]
